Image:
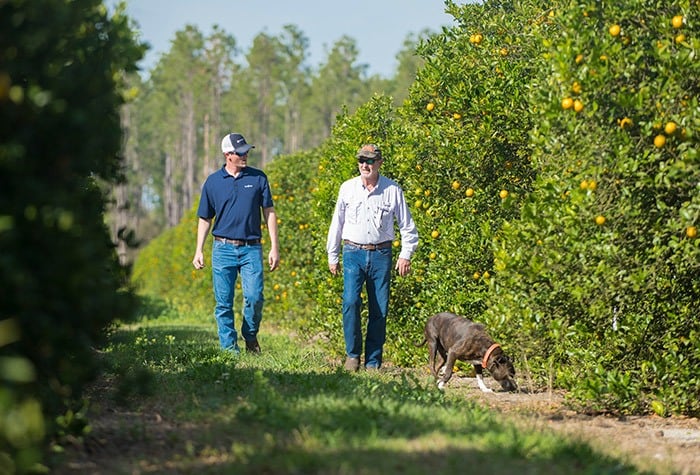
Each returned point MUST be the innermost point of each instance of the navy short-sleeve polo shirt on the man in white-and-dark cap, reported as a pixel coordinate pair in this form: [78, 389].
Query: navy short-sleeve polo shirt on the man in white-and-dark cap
[236, 202]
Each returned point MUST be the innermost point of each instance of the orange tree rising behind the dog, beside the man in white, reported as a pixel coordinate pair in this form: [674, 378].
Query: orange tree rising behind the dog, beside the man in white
[466, 123]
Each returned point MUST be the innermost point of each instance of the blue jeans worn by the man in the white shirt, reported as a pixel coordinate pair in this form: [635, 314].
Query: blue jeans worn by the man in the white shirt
[373, 269]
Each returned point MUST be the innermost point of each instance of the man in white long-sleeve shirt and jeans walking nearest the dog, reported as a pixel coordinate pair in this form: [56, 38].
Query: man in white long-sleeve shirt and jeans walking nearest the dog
[363, 221]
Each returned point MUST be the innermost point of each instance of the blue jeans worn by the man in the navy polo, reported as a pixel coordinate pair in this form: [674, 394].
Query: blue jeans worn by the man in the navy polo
[227, 262]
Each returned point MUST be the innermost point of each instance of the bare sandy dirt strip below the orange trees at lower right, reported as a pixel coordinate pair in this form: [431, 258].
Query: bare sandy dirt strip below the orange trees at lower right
[662, 445]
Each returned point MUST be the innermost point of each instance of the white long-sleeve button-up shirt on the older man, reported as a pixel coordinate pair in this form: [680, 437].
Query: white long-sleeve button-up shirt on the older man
[366, 217]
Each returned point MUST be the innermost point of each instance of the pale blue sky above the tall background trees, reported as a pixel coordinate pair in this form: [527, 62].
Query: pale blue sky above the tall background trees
[379, 27]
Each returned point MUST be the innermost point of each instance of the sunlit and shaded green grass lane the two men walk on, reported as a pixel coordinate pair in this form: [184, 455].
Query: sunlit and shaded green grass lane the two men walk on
[173, 403]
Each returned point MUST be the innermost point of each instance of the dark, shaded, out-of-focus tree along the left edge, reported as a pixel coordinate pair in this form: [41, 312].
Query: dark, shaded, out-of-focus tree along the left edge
[61, 286]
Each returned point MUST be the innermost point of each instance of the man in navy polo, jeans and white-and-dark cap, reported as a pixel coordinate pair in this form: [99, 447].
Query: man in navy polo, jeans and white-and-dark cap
[235, 196]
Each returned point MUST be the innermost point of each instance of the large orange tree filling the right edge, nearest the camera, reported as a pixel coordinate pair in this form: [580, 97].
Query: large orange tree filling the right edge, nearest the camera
[598, 278]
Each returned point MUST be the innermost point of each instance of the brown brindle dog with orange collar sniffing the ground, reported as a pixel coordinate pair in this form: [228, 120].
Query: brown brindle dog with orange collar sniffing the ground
[454, 337]
